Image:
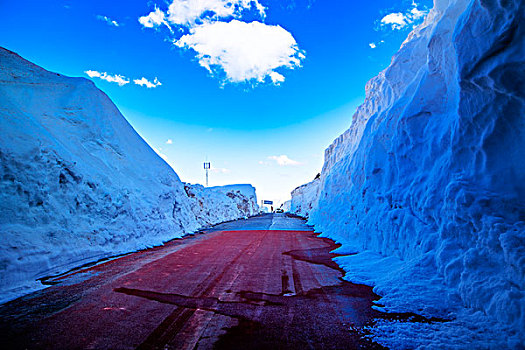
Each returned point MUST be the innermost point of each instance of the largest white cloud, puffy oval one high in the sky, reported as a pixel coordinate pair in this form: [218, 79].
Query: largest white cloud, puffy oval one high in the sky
[243, 51]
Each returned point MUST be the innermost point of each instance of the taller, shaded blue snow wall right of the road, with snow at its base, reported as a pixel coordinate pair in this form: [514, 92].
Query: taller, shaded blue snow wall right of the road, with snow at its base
[427, 185]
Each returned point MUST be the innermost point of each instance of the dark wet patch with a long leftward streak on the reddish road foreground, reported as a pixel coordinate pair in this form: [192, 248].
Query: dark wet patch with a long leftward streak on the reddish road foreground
[326, 317]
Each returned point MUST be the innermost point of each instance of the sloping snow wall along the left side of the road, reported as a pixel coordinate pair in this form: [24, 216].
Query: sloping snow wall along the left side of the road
[79, 184]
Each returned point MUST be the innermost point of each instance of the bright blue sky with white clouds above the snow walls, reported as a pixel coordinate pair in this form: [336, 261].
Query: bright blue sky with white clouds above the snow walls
[285, 76]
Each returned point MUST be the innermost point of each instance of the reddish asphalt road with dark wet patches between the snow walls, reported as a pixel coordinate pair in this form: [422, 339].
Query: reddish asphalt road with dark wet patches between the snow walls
[263, 283]
